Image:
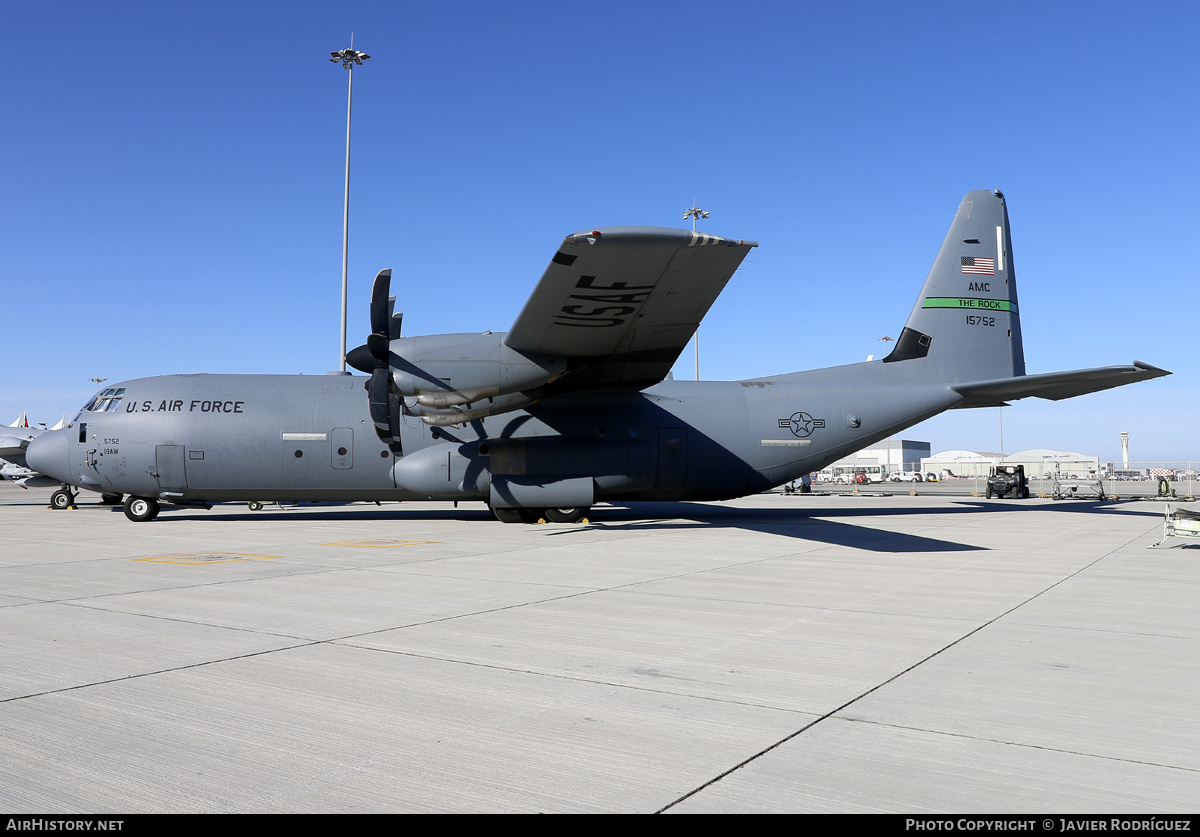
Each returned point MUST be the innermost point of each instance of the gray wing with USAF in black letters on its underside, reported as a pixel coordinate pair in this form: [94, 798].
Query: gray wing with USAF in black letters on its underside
[622, 303]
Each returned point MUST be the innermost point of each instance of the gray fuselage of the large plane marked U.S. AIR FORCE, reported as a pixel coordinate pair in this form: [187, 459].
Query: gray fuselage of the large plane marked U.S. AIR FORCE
[214, 438]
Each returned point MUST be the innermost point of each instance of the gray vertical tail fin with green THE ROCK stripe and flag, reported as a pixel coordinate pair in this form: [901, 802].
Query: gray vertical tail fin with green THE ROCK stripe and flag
[965, 326]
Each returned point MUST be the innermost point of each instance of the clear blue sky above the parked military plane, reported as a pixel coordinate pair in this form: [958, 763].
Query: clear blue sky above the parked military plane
[173, 182]
